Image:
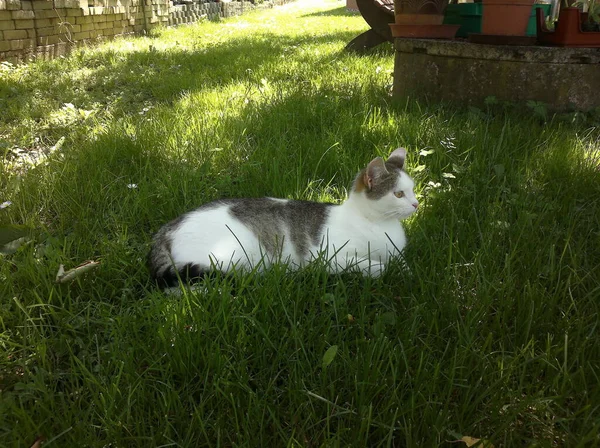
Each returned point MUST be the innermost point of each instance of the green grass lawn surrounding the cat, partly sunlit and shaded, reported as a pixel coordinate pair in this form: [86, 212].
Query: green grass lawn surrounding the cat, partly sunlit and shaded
[493, 333]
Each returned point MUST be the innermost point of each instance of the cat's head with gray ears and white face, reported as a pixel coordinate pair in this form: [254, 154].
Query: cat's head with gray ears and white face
[386, 187]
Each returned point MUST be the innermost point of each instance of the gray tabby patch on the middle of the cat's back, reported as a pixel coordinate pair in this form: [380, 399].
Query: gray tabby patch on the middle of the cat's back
[271, 219]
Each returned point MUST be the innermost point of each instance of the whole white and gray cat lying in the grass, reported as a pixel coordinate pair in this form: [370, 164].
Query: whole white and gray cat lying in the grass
[362, 233]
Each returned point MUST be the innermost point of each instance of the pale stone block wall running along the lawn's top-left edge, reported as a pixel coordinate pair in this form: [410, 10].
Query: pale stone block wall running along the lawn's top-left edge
[51, 28]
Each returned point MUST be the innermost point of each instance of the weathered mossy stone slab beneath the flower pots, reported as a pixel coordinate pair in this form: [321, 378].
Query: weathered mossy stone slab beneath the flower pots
[466, 73]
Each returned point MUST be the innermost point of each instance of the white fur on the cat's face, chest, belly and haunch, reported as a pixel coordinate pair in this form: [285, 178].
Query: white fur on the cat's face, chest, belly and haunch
[360, 234]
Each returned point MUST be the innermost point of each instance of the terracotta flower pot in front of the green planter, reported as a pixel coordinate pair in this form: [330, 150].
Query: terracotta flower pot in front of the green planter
[506, 17]
